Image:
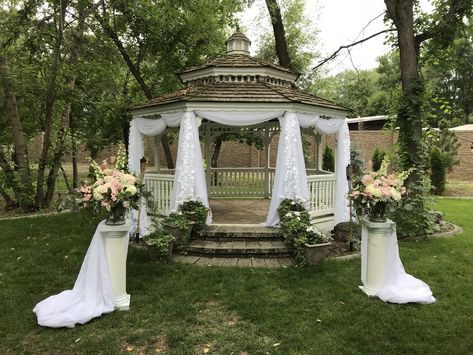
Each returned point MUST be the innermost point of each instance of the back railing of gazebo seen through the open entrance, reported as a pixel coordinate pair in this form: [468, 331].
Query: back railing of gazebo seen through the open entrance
[240, 182]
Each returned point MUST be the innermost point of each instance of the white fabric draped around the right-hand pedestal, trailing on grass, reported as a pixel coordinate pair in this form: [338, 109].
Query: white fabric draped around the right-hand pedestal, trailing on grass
[398, 286]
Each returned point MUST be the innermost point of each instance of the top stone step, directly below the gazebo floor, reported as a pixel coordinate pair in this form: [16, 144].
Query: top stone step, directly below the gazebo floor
[241, 232]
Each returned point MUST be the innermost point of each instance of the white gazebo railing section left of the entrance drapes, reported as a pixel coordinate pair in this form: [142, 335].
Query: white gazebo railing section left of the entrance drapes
[160, 187]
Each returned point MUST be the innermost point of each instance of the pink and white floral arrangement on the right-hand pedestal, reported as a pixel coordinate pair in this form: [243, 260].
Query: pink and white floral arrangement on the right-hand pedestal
[377, 193]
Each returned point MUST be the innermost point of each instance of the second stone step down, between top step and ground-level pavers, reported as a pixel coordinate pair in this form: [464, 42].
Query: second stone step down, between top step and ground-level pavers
[238, 248]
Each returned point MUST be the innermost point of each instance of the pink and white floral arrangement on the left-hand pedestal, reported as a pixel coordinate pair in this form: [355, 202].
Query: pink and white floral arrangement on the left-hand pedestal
[109, 186]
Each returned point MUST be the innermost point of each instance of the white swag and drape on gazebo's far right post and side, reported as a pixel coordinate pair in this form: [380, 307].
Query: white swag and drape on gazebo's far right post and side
[340, 127]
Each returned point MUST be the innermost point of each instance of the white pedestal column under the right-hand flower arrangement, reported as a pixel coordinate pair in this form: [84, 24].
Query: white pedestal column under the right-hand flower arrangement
[375, 269]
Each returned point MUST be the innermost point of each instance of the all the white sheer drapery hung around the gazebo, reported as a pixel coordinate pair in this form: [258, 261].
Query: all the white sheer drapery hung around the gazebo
[190, 182]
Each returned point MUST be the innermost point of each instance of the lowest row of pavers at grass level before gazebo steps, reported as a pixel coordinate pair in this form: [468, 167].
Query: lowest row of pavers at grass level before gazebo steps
[269, 263]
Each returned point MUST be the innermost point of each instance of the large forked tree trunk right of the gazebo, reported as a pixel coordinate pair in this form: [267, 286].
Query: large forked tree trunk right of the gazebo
[409, 119]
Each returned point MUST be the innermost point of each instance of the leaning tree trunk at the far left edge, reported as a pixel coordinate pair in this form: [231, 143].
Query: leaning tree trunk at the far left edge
[25, 187]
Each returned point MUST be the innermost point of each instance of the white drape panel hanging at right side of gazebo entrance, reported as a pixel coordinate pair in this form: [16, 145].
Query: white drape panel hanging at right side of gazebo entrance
[291, 179]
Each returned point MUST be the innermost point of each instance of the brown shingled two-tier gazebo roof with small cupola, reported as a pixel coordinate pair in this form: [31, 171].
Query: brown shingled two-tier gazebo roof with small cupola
[238, 80]
